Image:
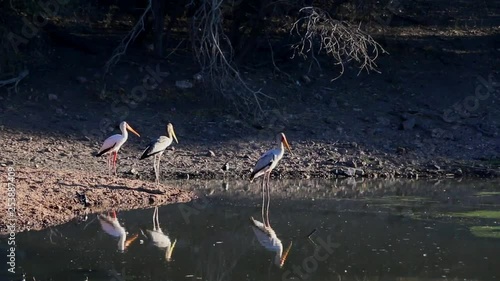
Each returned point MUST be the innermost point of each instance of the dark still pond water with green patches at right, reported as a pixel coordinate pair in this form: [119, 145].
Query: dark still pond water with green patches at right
[399, 230]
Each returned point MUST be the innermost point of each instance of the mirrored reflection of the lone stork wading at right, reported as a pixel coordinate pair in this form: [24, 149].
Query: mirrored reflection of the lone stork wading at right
[266, 235]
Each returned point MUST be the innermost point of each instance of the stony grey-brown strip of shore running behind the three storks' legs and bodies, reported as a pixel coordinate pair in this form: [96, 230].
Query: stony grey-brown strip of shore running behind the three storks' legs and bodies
[193, 160]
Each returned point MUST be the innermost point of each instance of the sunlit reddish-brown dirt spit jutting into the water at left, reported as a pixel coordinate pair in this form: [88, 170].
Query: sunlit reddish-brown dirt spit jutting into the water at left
[48, 197]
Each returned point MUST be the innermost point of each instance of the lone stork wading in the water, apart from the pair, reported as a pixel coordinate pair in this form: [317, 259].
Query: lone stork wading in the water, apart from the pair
[265, 165]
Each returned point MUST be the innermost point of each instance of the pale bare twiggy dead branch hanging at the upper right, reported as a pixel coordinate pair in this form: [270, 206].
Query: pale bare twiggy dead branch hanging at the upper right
[338, 39]
